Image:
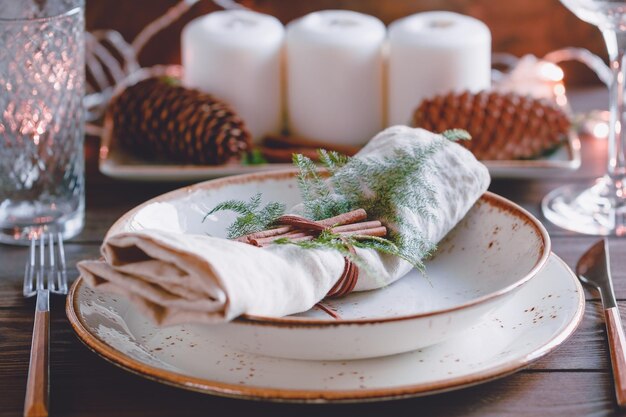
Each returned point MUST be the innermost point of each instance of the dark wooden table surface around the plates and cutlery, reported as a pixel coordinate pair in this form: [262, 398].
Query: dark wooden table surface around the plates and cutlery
[574, 380]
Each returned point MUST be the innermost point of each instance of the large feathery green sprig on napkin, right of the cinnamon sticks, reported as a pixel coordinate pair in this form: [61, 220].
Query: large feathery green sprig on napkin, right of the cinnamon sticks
[386, 189]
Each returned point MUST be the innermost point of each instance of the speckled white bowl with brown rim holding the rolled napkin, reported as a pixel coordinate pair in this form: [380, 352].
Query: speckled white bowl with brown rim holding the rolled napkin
[493, 251]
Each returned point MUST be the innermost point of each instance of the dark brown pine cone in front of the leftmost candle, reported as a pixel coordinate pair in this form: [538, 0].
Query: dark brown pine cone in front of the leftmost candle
[156, 119]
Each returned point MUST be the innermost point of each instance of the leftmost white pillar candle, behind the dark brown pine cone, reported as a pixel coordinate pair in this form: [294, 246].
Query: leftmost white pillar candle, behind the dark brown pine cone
[235, 55]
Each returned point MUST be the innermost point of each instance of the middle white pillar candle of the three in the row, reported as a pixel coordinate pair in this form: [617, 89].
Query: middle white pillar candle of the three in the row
[335, 77]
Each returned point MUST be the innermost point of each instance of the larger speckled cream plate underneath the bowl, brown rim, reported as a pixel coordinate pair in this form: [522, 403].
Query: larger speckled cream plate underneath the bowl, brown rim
[541, 316]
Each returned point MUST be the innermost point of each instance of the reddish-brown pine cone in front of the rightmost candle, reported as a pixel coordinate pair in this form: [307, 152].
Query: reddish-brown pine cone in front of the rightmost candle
[503, 126]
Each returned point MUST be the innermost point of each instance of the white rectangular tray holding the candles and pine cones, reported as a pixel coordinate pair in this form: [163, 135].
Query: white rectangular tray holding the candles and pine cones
[116, 163]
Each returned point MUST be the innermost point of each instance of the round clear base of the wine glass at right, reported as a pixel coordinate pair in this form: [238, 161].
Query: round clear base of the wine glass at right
[596, 209]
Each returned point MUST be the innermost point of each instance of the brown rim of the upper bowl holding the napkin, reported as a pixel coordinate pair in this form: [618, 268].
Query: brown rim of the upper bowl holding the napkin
[309, 322]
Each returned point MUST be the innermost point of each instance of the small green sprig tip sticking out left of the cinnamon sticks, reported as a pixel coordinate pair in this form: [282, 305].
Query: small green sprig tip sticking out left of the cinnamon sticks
[252, 217]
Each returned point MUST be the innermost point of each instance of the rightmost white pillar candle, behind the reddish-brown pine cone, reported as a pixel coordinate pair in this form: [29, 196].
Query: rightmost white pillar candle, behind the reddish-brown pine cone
[433, 53]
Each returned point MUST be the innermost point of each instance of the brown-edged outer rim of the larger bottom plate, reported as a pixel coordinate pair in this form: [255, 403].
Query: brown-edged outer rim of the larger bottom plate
[317, 396]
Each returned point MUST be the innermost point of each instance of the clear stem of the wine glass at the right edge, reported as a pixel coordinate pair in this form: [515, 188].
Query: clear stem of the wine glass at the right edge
[616, 168]
